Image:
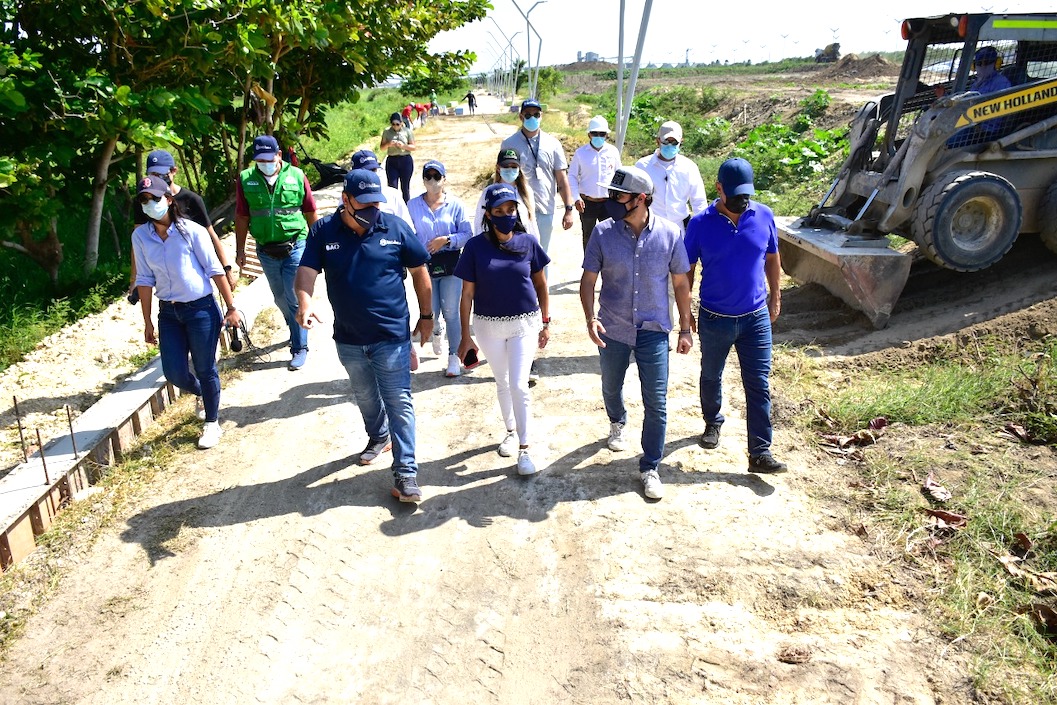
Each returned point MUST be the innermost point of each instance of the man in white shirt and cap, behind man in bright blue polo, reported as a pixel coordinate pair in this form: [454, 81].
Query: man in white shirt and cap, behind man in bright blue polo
[679, 190]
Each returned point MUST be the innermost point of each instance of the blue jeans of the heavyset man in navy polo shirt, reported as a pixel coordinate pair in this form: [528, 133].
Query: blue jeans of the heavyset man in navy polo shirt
[381, 378]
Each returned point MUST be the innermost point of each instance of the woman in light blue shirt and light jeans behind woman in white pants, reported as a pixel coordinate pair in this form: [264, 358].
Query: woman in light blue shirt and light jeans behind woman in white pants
[443, 228]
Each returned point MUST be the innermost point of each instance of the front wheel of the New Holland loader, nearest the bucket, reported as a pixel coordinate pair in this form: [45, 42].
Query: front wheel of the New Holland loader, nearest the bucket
[968, 220]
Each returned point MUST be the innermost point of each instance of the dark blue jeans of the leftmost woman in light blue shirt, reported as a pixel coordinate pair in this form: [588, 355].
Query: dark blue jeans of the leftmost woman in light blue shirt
[192, 328]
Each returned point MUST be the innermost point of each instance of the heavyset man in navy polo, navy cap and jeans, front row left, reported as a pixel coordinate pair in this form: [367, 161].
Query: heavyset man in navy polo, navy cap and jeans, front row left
[364, 253]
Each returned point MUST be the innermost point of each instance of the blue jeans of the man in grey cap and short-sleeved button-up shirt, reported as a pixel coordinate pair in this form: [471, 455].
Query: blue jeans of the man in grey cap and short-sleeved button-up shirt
[652, 359]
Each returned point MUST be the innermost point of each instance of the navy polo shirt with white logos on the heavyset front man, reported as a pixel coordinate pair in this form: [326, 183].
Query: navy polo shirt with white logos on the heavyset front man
[365, 276]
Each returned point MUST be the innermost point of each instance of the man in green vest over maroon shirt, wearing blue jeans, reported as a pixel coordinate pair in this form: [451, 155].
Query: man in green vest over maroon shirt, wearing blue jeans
[274, 203]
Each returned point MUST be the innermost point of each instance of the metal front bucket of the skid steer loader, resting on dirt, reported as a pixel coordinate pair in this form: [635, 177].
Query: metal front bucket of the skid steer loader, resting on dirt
[869, 280]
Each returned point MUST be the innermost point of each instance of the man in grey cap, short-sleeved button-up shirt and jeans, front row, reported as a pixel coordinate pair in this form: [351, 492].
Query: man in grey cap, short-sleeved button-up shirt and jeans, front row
[638, 255]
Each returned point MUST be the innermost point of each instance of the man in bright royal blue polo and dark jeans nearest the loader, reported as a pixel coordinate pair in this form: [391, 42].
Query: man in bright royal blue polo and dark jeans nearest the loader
[736, 242]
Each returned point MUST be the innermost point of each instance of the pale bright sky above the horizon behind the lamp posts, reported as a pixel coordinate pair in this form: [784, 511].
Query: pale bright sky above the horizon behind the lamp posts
[759, 32]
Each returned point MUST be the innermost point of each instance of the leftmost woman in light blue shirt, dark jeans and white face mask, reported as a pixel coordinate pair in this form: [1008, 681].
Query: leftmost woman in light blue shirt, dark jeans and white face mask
[176, 261]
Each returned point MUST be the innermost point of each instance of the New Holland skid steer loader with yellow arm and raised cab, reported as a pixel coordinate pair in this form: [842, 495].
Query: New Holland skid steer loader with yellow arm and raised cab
[957, 172]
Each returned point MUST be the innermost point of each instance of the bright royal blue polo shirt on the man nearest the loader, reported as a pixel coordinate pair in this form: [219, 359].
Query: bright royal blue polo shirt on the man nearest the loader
[733, 281]
